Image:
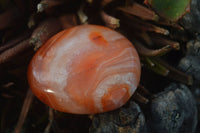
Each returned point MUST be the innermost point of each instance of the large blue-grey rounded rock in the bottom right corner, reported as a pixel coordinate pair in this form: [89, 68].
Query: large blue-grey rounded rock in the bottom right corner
[173, 111]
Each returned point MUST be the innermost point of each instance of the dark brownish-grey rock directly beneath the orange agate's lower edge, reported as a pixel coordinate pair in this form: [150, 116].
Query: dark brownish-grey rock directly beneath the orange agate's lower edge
[127, 119]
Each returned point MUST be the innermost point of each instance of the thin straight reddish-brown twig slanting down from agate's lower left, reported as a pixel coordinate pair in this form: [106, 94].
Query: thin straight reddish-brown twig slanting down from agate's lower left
[27, 102]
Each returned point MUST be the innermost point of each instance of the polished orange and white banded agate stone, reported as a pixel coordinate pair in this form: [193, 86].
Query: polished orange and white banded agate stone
[86, 69]
